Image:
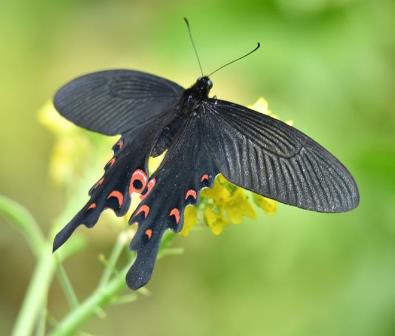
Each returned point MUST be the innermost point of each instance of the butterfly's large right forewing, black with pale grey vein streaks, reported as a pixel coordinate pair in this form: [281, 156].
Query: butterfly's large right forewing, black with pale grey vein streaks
[273, 159]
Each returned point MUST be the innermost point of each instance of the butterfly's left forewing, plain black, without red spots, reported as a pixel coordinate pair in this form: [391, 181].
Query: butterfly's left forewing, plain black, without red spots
[116, 101]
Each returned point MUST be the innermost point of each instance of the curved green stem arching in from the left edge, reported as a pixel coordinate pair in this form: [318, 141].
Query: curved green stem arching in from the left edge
[25, 222]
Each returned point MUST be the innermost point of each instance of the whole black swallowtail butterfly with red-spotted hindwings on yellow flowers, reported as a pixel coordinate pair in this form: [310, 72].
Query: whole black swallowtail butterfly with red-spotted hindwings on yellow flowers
[204, 137]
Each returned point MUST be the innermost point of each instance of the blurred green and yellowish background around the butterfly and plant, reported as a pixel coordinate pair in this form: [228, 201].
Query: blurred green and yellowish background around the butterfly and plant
[329, 65]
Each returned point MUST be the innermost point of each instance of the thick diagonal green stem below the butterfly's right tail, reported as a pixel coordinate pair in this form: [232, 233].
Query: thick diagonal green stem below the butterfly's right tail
[101, 296]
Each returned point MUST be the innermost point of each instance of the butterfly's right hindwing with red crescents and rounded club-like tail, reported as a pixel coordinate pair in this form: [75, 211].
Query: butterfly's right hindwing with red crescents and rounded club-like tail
[185, 170]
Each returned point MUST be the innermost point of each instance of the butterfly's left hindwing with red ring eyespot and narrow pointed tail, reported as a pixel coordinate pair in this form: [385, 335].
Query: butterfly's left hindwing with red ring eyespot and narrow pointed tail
[125, 173]
